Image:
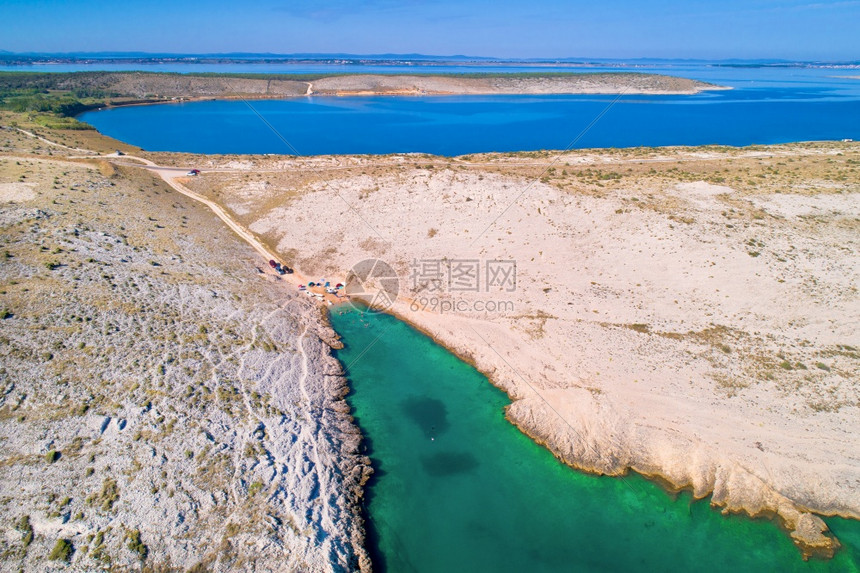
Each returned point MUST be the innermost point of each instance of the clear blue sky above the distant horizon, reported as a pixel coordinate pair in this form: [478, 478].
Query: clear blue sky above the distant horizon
[791, 29]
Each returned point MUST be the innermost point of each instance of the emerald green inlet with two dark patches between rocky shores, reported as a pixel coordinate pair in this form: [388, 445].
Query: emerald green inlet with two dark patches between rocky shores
[458, 488]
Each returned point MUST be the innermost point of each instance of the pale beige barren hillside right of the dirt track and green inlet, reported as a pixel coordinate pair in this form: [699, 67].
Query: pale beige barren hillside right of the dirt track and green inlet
[688, 313]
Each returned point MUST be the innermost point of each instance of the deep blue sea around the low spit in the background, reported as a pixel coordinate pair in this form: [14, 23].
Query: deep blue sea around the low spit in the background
[765, 106]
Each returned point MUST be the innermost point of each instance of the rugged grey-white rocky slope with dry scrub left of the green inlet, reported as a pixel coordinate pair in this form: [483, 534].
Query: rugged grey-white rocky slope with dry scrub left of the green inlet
[164, 403]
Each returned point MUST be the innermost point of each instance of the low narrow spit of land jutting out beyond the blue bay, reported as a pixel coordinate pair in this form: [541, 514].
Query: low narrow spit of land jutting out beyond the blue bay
[111, 88]
